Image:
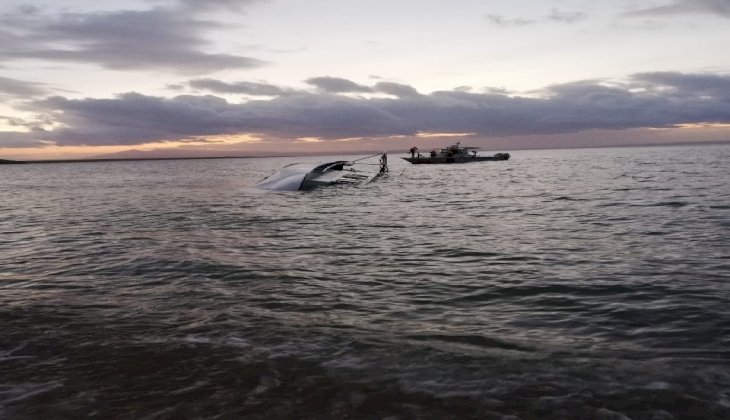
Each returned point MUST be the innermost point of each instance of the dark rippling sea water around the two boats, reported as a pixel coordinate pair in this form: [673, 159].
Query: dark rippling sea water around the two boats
[567, 284]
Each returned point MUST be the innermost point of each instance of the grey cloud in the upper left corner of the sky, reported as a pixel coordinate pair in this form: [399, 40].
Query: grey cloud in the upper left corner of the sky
[156, 39]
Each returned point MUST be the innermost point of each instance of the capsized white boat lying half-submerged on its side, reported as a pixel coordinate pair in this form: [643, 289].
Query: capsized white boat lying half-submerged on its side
[307, 176]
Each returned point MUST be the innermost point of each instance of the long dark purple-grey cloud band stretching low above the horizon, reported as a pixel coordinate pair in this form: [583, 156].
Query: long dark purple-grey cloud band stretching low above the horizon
[655, 100]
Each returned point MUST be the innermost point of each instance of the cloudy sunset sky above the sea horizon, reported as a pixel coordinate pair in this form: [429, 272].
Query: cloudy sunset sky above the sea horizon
[83, 78]
